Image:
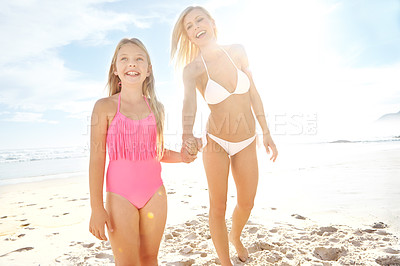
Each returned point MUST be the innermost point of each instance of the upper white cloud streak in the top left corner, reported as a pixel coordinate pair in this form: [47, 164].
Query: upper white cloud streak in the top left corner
[34, 27]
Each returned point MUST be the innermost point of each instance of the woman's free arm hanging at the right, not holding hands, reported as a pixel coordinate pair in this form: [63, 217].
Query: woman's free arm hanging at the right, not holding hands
[257, 105]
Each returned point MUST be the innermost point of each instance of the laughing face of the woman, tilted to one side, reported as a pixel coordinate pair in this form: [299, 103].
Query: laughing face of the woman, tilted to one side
[199, 27]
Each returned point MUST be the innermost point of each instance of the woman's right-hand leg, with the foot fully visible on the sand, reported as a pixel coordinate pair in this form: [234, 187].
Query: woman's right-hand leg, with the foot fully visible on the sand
[245, 174]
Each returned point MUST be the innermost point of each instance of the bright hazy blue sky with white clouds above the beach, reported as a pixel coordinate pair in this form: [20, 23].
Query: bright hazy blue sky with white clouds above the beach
[323, 68]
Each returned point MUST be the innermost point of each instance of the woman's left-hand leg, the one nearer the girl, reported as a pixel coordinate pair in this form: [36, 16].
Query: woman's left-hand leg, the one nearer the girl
[216, 164]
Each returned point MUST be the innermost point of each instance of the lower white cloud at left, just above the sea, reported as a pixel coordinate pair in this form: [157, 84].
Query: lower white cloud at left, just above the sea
[45, 83]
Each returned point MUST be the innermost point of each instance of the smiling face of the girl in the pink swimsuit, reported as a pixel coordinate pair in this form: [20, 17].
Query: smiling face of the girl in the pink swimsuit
[131, 65]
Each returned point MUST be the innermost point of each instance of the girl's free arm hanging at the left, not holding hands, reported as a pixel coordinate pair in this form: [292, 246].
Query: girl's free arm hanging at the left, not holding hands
[98, 134]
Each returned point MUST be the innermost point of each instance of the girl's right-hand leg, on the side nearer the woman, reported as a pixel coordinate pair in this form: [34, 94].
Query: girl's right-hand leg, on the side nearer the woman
[152, 223]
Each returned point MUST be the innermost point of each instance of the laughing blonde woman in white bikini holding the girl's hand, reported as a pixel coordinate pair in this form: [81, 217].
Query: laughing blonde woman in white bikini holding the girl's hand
[222, 76]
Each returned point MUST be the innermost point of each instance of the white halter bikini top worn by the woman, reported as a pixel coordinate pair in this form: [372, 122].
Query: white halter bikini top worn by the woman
[215, 93]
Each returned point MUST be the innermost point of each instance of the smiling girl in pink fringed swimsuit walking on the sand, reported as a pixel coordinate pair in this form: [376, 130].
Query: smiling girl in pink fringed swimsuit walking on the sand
[130, 123]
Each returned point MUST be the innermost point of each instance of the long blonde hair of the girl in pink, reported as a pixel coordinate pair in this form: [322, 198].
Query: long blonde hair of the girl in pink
[148, 91]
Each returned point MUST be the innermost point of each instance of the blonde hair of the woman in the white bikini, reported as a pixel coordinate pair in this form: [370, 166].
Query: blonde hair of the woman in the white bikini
[185, 50]
